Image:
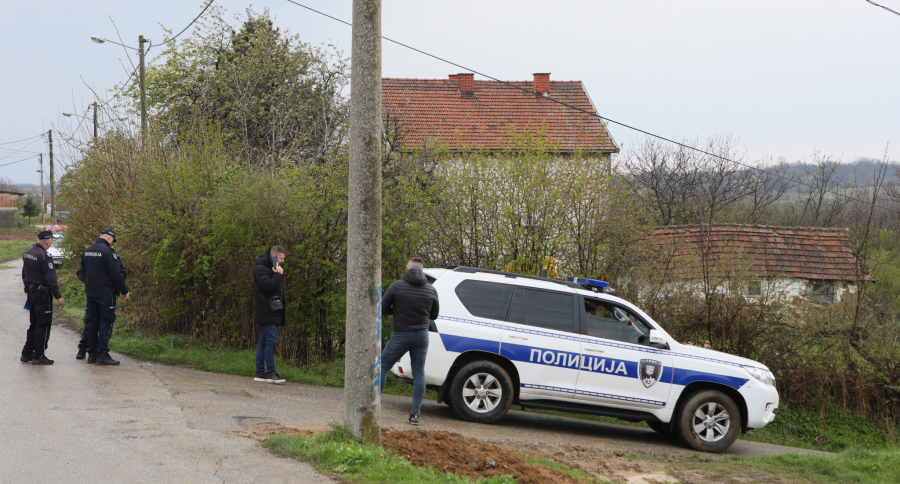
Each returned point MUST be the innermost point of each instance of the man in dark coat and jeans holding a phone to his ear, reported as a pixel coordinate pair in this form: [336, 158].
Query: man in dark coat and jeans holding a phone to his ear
[268, 297]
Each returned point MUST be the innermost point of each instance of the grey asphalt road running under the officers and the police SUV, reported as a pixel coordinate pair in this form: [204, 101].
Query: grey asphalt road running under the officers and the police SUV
[145, 422]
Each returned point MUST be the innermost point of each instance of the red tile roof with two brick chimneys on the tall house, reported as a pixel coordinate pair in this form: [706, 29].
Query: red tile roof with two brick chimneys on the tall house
[461, 113]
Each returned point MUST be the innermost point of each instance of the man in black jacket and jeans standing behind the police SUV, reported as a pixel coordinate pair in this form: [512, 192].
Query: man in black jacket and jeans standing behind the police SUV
[414, 303]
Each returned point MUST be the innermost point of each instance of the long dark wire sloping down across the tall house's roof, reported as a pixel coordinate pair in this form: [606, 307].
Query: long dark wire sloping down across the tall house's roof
[602, 118]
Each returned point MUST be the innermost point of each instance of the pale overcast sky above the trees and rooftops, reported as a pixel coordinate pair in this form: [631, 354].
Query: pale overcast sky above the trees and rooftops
[785, 77]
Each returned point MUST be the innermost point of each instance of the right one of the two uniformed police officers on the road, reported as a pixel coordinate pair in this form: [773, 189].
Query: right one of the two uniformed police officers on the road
[103, 276]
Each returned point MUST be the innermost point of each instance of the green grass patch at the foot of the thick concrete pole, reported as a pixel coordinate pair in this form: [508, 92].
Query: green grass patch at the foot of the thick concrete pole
[337, 453]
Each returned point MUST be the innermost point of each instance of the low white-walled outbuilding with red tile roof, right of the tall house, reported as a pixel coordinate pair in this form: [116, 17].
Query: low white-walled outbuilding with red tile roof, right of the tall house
[776, 263]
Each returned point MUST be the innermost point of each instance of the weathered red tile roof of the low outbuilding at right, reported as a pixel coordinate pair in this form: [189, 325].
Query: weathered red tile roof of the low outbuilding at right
[801, 252]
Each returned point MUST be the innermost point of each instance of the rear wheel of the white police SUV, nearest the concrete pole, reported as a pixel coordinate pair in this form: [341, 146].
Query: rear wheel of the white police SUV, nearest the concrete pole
[481, 392]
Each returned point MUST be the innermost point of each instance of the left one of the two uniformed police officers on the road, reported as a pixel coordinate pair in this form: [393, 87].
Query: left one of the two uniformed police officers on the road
[39, 277]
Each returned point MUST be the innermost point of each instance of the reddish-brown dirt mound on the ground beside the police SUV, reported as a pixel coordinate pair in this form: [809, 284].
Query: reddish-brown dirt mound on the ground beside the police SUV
[476, 459]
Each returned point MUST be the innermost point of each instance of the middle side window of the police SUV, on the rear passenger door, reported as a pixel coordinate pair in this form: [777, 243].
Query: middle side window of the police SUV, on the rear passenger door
[544, 309]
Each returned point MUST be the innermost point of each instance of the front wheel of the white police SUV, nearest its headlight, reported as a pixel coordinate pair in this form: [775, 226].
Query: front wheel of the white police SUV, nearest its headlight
[709, 421]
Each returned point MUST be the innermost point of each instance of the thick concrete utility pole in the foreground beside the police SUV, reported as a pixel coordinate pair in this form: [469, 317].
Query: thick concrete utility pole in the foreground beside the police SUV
[362, 371]
